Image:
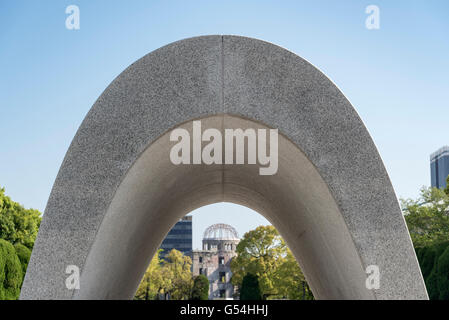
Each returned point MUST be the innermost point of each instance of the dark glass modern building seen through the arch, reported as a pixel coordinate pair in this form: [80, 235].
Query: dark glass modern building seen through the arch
[179, 237]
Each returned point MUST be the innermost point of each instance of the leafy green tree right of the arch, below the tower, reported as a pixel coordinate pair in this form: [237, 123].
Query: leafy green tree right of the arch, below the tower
[428, 217]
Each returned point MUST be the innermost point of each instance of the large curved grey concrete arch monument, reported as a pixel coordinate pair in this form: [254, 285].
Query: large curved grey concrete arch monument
[117, 193]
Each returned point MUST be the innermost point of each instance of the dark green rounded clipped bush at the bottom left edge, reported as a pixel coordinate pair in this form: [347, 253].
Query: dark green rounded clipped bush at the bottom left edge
[10, 272]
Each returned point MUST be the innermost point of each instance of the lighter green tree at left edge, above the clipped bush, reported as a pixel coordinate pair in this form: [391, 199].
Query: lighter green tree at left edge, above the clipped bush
[17, 224]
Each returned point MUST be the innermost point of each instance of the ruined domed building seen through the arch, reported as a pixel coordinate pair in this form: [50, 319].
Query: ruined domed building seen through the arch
[214, 260]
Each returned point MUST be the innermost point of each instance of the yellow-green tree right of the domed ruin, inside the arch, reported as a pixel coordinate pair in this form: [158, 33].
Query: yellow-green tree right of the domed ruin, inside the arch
[263, 253]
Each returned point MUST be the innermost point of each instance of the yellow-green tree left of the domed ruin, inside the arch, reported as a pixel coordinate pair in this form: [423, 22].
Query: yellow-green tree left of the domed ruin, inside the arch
[171, 276]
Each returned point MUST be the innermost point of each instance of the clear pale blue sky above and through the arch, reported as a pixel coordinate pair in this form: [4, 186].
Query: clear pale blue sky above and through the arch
[396, 77]
